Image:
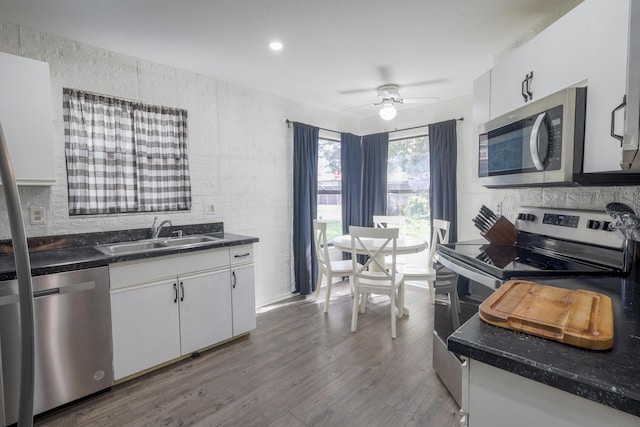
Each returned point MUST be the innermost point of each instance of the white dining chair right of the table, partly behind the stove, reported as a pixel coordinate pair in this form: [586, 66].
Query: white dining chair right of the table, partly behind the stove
[437, 278]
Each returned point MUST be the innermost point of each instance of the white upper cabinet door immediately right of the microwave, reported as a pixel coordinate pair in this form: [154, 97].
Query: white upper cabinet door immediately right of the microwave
[608, 43]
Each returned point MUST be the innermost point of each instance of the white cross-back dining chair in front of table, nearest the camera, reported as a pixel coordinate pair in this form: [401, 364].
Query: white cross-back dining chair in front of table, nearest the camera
[374, 277]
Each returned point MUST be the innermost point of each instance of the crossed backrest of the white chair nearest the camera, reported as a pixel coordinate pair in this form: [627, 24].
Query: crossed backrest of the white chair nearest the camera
[376, 243]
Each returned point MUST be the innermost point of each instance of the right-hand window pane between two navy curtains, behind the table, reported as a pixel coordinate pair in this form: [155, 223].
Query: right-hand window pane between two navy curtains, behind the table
[408, 183]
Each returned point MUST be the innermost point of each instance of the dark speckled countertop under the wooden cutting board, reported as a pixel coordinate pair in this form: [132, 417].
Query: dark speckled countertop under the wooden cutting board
[610, 377]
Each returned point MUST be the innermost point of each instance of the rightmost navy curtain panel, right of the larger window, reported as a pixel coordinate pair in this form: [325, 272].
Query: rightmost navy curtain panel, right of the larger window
[442, 191]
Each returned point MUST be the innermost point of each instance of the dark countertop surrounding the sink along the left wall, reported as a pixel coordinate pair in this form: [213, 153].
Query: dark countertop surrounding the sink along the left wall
[54, 254]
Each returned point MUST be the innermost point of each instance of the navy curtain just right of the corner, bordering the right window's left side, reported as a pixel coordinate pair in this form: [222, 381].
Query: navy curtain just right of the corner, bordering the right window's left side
[375, 151]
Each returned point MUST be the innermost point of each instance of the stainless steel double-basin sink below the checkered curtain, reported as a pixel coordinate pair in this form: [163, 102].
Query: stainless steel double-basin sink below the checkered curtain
[160, 244]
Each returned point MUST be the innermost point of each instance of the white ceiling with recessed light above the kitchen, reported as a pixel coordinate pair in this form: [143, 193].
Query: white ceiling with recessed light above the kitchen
[336, 52]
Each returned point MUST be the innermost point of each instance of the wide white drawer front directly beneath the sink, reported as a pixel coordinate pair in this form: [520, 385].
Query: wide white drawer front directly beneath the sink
[146, 270]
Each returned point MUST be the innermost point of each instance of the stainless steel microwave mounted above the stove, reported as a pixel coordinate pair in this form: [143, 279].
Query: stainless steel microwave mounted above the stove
[539, 144]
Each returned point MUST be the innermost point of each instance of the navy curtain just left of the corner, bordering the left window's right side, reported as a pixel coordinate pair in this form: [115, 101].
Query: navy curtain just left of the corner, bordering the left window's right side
[351, 167]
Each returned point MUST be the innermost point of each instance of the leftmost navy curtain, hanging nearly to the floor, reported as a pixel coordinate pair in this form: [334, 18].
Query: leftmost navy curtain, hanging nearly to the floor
[305, 185]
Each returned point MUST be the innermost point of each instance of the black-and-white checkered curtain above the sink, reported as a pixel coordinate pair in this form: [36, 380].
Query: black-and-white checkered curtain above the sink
[124, 156]
